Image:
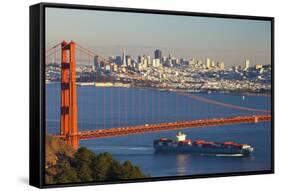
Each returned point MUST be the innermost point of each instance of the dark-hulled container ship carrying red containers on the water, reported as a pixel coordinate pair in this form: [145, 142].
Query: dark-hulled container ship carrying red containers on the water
[181, 144]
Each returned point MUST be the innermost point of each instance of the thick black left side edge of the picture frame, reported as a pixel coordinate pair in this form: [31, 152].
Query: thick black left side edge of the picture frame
[36, 134]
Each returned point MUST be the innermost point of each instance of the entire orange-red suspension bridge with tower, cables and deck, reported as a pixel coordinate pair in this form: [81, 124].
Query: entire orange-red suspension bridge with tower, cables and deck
[68, 104]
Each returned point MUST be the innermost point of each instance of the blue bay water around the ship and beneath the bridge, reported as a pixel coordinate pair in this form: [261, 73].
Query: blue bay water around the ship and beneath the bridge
[114, 107]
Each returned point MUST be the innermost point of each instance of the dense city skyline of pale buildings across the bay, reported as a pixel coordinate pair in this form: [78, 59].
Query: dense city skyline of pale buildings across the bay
[165, 73]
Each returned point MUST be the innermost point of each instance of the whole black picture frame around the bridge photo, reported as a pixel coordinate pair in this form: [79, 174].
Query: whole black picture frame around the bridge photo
[37, 92]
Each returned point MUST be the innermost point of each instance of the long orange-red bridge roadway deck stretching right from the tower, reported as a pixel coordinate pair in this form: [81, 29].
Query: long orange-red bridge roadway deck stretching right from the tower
[149, 128]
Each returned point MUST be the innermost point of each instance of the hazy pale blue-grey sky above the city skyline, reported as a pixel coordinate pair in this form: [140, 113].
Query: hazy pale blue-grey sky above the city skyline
[107, 33]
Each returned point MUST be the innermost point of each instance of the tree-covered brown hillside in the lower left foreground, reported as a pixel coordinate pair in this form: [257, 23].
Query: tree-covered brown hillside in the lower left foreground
[65, 165]
